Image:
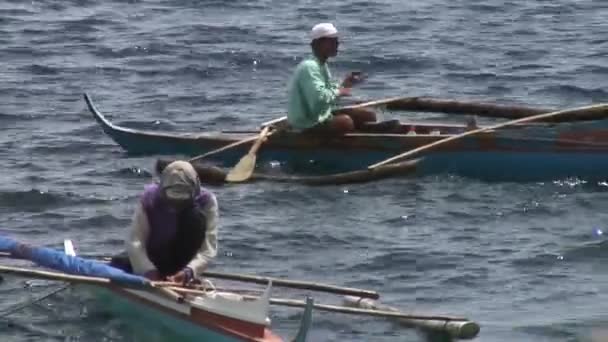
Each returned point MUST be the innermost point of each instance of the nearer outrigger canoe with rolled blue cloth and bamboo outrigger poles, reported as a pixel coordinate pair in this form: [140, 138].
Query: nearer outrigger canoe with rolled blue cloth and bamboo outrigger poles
[204, 312]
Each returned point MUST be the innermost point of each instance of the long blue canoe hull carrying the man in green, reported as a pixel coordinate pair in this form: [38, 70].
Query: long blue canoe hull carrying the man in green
[531, 152]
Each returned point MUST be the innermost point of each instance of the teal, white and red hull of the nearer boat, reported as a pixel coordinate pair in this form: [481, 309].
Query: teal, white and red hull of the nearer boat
[214, 316]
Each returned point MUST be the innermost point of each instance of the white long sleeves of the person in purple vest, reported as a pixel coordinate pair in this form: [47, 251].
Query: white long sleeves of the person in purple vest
[138, 237]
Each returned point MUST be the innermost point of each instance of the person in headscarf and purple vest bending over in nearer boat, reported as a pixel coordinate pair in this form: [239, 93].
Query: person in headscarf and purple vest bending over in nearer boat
[173, 235]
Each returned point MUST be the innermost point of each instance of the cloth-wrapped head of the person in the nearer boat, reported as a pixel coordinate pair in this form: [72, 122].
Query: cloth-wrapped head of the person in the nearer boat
[179, 183]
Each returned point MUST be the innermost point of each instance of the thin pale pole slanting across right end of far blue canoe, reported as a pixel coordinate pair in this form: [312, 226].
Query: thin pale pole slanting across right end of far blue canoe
[597, 111]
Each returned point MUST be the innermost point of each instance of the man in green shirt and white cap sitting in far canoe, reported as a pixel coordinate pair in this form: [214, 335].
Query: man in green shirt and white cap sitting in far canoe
[313, 94]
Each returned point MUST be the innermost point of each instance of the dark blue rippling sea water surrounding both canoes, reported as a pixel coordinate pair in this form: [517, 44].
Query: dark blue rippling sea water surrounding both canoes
[522, 259]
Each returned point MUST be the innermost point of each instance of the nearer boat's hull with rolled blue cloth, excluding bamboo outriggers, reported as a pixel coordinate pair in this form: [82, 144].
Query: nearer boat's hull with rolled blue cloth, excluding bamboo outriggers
[215, 316]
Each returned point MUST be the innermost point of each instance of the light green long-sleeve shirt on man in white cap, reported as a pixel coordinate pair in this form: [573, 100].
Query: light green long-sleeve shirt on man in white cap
[312, 94]
